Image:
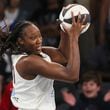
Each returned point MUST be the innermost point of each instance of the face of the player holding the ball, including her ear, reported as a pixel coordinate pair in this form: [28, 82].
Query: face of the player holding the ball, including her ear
[32, 39]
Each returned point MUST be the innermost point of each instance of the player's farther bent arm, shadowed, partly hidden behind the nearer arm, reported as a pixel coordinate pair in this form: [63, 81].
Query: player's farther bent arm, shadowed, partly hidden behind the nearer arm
[60, 54]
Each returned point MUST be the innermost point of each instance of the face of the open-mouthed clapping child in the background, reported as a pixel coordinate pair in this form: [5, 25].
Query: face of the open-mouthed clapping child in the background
[90, 89]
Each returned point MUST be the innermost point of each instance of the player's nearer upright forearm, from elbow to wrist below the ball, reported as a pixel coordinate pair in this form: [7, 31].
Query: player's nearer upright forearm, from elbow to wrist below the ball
[74, 59]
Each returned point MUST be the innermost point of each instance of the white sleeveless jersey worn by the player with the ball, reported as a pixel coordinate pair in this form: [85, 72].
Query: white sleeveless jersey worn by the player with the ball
[36, 94]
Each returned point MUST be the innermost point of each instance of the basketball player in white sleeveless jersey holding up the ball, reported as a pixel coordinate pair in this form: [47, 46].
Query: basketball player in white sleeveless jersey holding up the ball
[35, 67]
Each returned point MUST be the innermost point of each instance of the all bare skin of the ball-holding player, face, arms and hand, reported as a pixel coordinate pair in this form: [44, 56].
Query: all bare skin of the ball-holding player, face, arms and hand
[30, 66]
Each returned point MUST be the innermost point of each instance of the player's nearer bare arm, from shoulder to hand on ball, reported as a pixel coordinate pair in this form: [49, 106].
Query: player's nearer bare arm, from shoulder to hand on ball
[37, 65]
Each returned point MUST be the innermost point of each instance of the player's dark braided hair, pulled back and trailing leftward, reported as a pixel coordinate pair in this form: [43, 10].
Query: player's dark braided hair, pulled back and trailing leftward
[8, 39]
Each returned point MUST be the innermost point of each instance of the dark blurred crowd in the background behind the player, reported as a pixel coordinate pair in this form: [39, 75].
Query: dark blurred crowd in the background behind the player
[94, 51]
